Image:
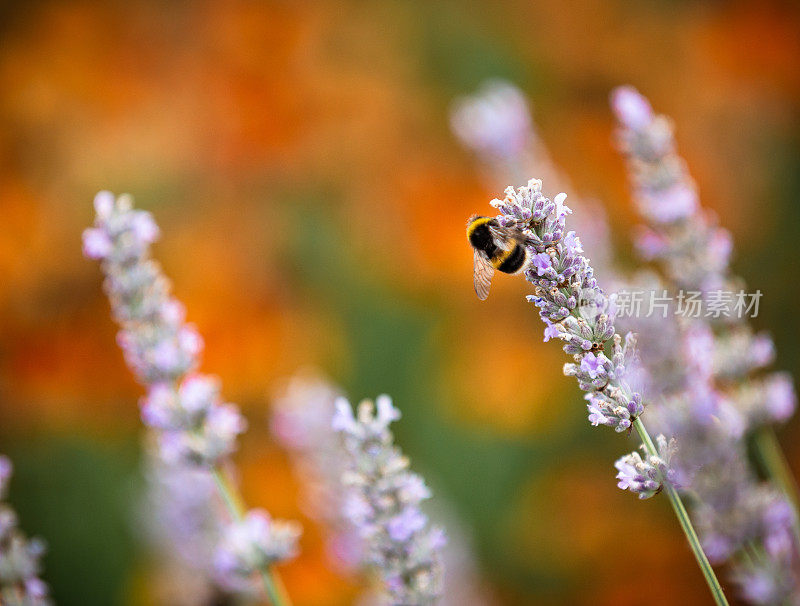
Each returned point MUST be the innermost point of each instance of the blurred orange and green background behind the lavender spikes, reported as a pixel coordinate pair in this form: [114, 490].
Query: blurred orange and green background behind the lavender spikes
[312, 201]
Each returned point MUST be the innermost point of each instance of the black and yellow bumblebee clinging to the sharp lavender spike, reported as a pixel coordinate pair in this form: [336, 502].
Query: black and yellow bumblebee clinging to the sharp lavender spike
[496, 248]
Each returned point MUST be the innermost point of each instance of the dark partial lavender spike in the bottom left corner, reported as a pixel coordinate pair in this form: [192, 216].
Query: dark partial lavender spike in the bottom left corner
[20, 584]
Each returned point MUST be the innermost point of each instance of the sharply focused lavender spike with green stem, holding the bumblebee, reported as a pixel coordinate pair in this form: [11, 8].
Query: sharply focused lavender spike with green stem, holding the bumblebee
[569, 298]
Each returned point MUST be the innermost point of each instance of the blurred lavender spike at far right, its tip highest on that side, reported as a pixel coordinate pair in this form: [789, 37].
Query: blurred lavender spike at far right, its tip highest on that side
[694, 252]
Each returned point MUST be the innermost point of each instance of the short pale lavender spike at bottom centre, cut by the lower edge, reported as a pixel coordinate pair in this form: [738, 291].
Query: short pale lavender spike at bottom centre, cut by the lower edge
[383, 503]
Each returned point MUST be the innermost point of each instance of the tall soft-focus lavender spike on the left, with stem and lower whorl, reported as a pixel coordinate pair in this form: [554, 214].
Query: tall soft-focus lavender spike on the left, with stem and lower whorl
[193, 425]
